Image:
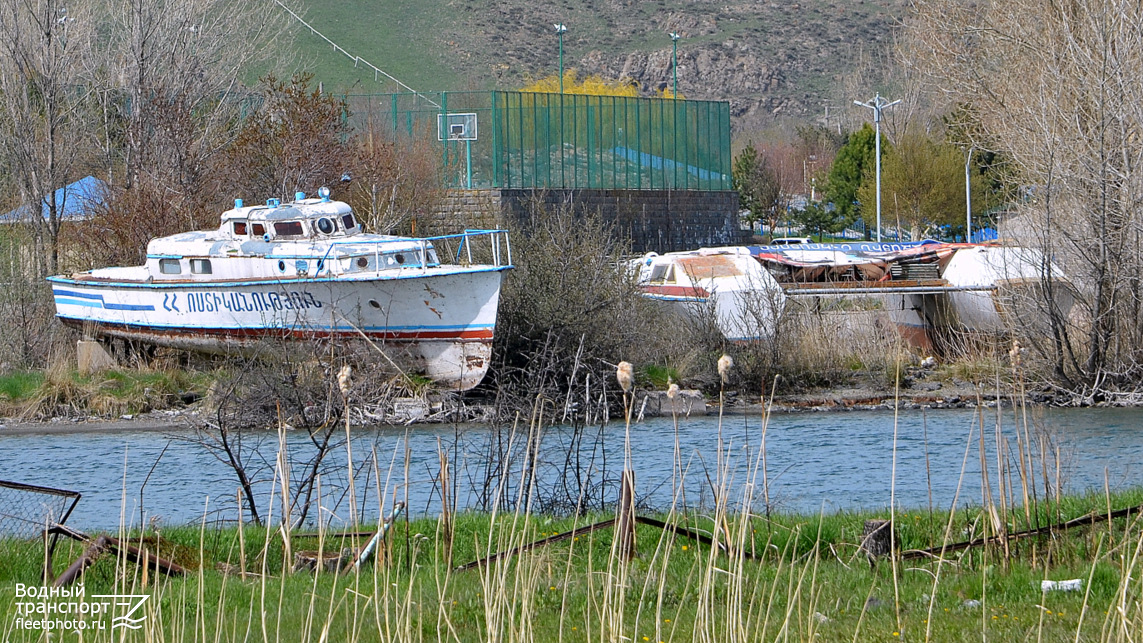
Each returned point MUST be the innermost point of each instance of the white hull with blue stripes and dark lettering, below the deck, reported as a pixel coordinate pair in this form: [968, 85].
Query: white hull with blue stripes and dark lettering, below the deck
[438, 323]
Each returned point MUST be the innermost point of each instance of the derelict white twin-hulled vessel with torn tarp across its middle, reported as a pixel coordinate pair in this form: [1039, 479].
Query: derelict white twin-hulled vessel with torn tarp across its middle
[930, 291]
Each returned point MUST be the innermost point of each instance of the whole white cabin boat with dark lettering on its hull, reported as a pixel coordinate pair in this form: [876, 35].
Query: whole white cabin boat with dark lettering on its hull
[303, 271]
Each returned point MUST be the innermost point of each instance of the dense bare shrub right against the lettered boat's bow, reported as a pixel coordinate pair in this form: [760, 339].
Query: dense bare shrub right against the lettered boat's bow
[570, 311]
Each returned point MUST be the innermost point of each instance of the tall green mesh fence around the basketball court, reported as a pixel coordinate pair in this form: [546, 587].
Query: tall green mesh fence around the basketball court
[563, 141]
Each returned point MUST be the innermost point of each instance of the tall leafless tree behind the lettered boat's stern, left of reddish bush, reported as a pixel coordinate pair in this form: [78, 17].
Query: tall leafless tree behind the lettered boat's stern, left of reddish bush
[175, 73]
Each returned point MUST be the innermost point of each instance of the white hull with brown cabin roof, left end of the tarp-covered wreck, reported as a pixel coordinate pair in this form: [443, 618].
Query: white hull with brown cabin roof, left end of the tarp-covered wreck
[728, 284]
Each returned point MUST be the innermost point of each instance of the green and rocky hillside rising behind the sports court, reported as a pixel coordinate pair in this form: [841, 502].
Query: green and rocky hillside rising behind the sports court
[769, 59]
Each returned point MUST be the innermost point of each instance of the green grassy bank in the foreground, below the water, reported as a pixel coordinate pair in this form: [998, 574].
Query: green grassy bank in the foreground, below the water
[789, 577]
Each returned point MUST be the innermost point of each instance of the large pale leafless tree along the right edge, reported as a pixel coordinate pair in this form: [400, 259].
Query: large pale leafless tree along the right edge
[1056, 89]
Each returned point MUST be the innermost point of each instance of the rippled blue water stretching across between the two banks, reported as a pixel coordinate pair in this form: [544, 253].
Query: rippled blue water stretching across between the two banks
[832, 462]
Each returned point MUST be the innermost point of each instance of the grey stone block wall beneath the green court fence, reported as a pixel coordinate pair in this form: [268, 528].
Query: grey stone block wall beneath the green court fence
[660, 221]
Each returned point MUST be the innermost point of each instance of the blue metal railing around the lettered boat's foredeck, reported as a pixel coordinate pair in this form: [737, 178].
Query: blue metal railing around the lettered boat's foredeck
[468, 248]
